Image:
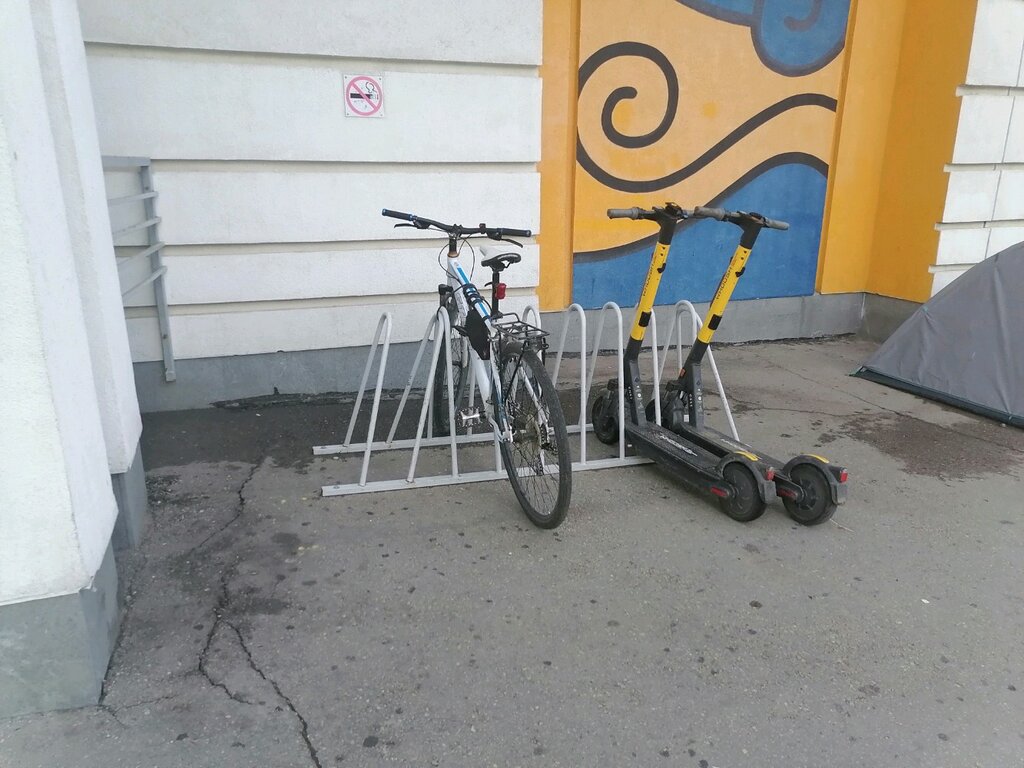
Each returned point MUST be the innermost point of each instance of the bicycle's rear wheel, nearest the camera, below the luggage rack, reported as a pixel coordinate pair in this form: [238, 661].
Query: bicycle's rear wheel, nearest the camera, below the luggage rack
[538, 459]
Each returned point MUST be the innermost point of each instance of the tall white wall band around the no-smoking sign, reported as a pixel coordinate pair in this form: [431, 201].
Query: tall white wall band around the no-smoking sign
[180, 107]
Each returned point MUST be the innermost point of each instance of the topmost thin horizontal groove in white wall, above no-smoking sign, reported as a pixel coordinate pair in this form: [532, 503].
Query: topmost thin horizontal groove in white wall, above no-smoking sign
[279, 59]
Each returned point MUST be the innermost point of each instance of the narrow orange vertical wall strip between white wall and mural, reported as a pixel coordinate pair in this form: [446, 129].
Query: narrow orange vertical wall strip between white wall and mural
[559, 73]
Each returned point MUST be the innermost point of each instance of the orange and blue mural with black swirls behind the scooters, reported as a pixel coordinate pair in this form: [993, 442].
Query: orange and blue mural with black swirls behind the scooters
[721, 103]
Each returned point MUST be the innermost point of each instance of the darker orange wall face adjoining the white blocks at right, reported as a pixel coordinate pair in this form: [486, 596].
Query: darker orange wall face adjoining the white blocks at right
[922, 131]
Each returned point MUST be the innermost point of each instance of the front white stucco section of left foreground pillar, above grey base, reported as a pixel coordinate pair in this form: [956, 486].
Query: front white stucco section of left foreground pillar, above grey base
[57, 504]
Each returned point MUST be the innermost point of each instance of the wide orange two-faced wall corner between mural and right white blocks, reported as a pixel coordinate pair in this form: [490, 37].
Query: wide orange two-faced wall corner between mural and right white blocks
[897, 131]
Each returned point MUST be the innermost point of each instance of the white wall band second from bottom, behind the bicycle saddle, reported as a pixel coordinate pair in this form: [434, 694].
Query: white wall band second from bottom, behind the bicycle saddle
[271, 277]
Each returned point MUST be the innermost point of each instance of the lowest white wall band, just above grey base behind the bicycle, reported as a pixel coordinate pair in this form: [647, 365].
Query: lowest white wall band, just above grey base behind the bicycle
[286, 330]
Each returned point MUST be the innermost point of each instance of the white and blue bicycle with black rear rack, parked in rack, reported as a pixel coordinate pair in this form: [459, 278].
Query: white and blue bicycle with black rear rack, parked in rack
[504, 353]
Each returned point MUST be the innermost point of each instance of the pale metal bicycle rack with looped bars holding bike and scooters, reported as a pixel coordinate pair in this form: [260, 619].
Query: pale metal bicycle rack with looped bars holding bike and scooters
[439, 331]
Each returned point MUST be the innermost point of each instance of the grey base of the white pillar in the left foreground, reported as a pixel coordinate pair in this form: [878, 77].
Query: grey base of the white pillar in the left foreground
[56, 650]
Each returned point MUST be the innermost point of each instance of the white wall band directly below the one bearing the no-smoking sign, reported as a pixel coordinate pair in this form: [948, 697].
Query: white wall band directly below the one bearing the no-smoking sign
[331, 204]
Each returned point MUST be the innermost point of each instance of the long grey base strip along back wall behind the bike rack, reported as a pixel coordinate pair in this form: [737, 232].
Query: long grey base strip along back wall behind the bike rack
[203, 382]
